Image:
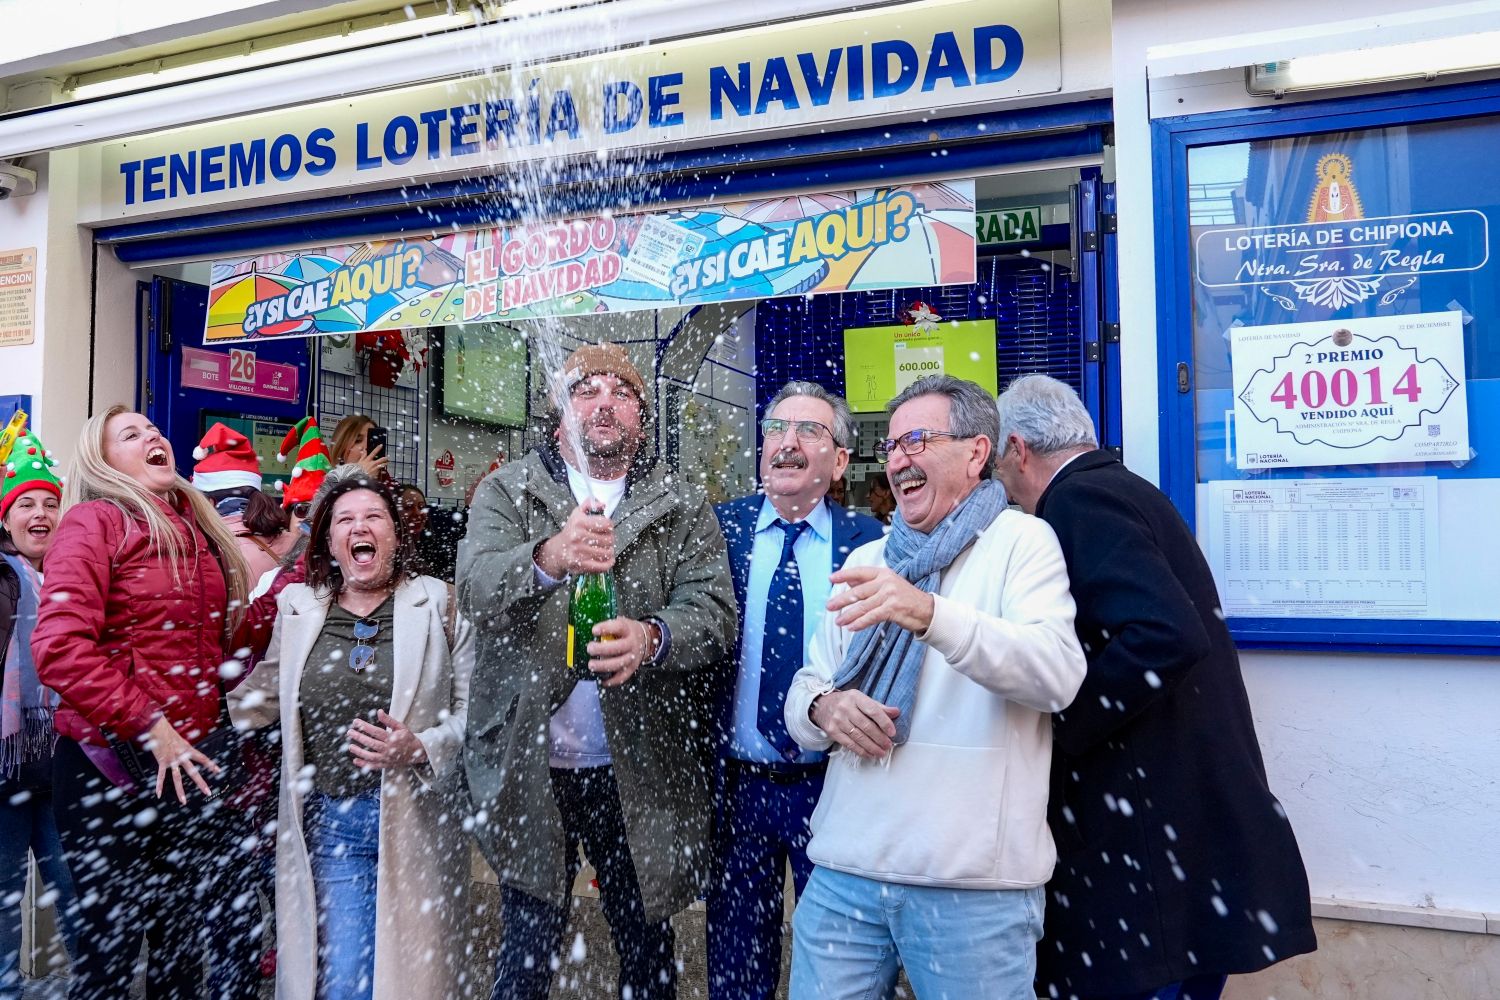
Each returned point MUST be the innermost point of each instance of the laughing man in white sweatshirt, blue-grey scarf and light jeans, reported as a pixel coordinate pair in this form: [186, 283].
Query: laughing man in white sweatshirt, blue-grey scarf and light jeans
[947, 647]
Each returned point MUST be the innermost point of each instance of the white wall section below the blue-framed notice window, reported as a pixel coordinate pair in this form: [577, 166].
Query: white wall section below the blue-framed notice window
[1387, 767]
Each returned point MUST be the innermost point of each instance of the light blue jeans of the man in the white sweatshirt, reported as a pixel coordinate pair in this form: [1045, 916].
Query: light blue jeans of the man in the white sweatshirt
[851, 935]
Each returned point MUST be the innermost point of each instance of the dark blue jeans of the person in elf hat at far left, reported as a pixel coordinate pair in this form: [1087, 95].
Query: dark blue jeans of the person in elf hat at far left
[29, 827]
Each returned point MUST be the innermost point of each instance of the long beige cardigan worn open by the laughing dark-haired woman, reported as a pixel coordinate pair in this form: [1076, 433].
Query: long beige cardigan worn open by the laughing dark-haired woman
[424, 870]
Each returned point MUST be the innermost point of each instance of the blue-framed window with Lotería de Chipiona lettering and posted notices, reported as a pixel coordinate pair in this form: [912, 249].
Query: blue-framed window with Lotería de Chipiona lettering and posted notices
[1339, 295]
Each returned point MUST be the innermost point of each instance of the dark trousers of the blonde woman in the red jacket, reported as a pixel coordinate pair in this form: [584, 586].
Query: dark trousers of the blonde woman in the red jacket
[142, 866]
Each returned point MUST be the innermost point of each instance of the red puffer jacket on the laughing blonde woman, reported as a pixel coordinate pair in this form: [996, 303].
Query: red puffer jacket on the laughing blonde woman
[119, 638]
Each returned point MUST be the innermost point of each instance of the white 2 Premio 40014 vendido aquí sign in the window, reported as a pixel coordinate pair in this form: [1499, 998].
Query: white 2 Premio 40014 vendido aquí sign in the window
[1351, 392]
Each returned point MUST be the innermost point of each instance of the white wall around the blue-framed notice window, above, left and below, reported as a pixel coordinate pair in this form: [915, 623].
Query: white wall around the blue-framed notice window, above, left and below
[1385, 764]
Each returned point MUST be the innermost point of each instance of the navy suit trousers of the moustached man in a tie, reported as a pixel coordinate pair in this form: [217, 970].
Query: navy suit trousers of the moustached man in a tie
[764, 825]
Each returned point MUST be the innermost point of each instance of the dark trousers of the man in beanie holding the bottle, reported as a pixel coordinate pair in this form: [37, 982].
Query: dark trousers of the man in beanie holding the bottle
[533, 929]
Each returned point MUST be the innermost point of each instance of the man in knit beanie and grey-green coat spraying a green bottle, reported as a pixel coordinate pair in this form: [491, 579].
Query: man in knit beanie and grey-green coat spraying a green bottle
[625, 767]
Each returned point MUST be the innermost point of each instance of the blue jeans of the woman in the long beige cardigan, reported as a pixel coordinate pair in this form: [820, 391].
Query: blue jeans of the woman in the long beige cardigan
[344, 848]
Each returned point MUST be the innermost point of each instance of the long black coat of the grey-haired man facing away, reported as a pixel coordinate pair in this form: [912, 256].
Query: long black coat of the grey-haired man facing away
[1175, 858]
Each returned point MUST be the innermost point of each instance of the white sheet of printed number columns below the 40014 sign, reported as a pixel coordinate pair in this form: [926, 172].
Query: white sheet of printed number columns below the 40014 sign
[1325, 548]
